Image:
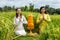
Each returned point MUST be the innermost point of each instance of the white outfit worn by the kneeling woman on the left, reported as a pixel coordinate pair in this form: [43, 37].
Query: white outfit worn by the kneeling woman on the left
[20, 29]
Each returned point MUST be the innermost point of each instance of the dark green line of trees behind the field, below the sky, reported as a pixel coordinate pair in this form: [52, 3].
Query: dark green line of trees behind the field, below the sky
[31, 8]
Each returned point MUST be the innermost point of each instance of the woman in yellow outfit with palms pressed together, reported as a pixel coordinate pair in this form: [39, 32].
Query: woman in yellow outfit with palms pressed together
[43, 19]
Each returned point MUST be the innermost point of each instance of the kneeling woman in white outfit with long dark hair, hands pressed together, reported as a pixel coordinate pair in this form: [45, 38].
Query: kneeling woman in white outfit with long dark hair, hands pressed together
[19, 20]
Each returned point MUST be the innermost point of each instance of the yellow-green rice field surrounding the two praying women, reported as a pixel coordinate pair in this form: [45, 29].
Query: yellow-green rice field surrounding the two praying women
[50, 32]
